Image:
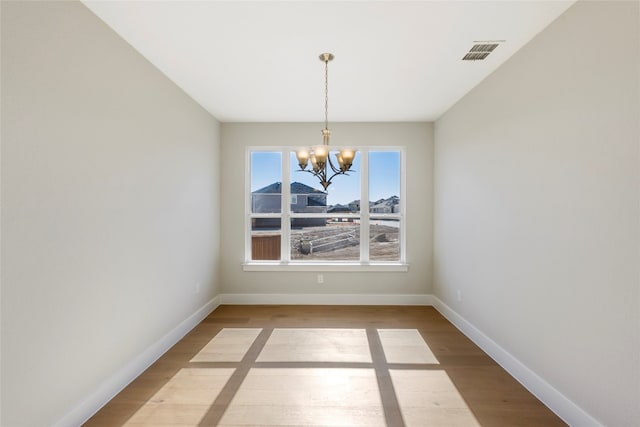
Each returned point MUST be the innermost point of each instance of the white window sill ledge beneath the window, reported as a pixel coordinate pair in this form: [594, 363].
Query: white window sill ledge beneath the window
[344, 267]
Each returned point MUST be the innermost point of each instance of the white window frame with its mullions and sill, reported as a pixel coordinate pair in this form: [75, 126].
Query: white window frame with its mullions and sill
[286, 215]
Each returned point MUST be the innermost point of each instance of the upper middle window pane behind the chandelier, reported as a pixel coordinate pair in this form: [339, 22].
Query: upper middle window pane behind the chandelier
[344, 189]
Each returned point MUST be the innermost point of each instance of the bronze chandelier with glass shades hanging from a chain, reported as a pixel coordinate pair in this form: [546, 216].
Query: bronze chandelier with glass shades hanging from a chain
[321, 165]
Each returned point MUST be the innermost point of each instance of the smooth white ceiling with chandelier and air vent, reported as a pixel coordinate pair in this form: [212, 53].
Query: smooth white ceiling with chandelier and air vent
[258, 60]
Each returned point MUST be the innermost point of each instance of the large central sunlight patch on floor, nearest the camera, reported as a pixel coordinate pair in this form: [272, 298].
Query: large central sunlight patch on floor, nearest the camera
[315, 396]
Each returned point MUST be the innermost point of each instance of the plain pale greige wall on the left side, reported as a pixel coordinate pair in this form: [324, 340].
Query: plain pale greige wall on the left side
[110, 201]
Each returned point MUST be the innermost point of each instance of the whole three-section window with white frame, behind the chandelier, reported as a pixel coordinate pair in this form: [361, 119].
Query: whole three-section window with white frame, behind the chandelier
[359, 220]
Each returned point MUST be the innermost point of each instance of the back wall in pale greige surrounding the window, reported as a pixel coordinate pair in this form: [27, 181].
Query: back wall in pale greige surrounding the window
[418, 139]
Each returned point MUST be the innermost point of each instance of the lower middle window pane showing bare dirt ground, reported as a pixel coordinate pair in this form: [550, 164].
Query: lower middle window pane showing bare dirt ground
[322, 239]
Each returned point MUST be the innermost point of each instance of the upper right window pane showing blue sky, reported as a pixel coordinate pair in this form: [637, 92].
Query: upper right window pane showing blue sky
[384, 182]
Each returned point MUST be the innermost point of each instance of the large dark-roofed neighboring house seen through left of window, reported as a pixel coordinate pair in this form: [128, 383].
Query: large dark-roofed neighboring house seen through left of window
[304, 199]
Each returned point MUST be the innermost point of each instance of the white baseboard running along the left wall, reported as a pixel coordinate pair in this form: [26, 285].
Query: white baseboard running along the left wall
[119, 380]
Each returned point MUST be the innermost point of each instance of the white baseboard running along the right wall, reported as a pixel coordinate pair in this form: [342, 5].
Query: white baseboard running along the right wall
[570, 413]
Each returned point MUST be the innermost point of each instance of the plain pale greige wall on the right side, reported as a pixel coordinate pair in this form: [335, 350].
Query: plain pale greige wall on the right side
[537, 208]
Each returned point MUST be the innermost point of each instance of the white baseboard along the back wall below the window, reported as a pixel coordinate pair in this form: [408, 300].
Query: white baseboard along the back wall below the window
[325, 299]
